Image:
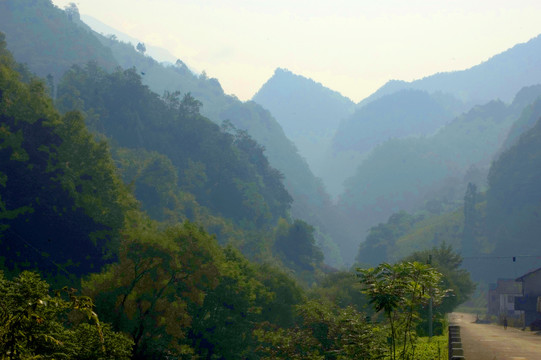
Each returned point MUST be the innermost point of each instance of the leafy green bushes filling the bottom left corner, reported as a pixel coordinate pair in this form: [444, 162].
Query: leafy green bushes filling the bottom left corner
[36, 325]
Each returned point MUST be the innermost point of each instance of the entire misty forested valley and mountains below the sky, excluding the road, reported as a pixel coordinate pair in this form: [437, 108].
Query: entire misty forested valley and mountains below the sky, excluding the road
[147, 214]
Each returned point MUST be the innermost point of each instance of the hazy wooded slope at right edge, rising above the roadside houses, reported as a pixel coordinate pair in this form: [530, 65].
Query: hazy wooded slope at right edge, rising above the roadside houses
[496, 226]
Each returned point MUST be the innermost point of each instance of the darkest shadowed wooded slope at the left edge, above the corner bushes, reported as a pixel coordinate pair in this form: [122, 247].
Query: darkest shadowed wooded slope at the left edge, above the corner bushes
[59, 211]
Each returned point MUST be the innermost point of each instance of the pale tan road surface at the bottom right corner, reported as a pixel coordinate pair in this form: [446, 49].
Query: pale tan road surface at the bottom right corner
[492, 342]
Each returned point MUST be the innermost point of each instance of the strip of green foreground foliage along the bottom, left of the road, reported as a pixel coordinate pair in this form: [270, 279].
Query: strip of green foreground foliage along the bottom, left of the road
[229, 322]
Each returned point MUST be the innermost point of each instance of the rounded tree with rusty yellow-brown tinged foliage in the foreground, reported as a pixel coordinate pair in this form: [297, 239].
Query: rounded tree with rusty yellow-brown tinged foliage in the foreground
[147, 293]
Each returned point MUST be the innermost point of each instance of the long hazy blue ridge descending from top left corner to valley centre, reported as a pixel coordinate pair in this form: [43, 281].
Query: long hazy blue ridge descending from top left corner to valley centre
[310, 203]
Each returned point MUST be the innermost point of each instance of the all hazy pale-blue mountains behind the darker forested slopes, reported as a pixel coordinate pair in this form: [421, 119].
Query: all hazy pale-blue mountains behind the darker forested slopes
[394, 150]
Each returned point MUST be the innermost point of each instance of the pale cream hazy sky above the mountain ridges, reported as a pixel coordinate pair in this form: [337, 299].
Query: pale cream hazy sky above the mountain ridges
[351, 46]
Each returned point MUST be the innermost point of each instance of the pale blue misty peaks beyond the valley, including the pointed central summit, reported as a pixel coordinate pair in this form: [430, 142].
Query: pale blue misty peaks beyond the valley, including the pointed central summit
[402, 145]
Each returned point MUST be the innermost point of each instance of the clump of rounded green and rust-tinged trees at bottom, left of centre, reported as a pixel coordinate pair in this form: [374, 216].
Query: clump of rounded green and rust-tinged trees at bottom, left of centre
[178, 294]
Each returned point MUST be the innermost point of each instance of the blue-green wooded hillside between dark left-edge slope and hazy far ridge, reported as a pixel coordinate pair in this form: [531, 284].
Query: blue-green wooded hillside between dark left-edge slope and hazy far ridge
[228, 174]
